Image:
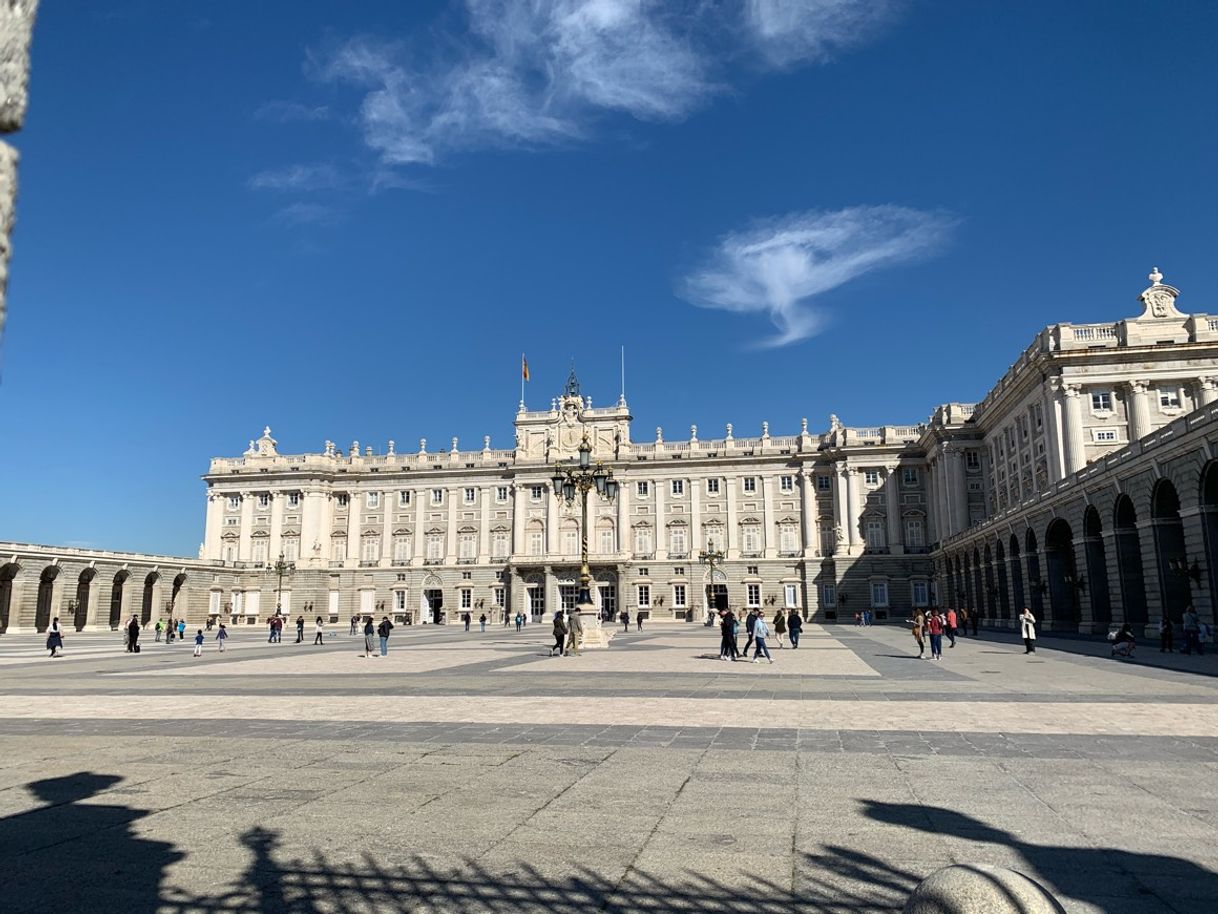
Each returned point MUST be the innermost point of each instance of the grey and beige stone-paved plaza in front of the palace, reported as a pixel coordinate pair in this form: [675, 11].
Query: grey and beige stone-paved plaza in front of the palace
[470, 772]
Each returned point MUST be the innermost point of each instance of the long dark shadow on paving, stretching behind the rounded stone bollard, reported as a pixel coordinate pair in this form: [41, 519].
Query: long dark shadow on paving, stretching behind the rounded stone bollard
[1110, 879]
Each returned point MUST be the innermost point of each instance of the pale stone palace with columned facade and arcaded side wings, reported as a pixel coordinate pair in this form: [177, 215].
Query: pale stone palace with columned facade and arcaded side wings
[1083, 486]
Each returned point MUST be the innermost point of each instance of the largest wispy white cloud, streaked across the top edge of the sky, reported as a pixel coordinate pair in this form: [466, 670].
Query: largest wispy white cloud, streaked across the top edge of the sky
[539, 73]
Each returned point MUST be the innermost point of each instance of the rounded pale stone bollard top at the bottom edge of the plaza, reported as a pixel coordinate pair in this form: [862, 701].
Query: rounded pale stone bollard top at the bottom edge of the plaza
[977, 889]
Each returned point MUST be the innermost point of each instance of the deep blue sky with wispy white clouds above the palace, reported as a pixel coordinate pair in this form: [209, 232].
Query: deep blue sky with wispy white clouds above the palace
[350, 220]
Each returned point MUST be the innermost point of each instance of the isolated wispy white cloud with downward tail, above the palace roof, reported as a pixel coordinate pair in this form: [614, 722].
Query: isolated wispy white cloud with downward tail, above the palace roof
[778, 267]
